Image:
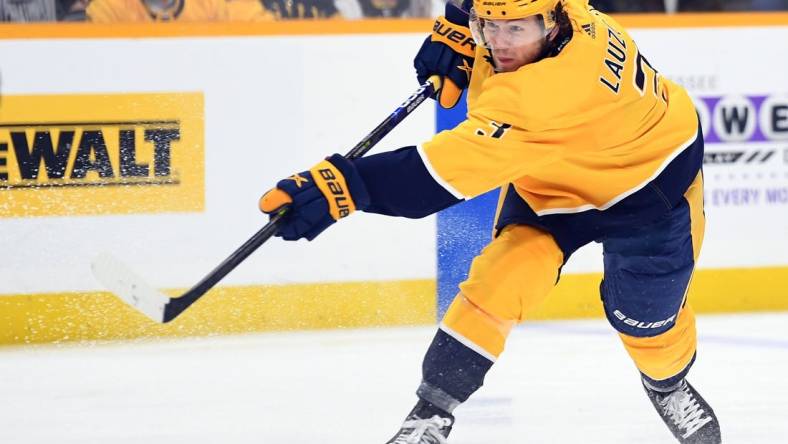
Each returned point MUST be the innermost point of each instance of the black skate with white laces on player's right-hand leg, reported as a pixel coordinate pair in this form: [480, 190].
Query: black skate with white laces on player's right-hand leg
[687, 415]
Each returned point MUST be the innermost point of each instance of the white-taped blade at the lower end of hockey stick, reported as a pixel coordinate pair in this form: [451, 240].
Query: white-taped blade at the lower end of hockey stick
[118, 278]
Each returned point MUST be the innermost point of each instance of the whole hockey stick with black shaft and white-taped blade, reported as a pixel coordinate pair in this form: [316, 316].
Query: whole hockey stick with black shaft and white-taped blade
[119, 279]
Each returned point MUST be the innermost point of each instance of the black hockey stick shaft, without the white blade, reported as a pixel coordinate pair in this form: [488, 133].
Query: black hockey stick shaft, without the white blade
[178, 305]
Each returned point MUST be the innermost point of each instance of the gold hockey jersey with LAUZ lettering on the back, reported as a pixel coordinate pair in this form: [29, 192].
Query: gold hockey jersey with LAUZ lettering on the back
[581, 130]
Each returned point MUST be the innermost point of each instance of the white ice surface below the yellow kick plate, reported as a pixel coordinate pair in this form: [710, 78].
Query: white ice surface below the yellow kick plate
[558, 382]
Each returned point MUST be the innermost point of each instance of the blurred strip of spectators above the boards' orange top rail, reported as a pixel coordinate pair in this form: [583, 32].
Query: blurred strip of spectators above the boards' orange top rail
[115, 11]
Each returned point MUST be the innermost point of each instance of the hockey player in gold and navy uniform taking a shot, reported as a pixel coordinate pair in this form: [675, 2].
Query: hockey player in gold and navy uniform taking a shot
[587, 142]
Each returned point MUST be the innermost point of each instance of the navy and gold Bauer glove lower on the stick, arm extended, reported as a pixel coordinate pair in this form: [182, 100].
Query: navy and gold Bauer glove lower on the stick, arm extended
[317, 198]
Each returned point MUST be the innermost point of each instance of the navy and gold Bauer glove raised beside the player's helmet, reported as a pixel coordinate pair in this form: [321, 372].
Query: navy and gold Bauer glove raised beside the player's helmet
[448, 52]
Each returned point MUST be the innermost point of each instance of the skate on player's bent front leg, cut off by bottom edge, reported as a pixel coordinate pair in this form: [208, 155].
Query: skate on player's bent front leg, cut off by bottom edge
[426, 424]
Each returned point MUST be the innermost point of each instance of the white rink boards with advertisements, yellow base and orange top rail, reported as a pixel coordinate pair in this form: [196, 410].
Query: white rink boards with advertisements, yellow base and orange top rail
[154, 143]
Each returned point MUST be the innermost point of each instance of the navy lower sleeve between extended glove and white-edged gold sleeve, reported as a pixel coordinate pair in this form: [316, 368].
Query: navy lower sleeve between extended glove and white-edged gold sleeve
[400, 185]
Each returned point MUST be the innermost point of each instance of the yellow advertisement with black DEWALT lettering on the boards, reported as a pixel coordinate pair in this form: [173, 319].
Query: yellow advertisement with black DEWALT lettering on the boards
[88, 154]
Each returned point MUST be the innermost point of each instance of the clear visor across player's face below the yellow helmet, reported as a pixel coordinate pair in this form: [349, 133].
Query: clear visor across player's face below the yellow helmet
[497, 35]
